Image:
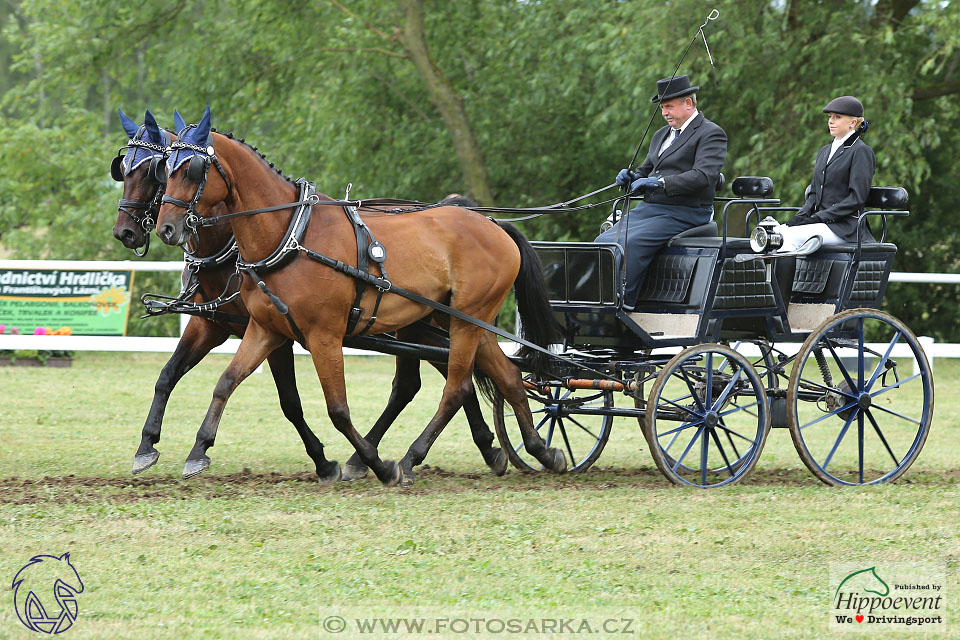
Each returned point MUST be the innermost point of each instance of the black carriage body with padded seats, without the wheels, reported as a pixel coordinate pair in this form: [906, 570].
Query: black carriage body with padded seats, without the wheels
[696, 292]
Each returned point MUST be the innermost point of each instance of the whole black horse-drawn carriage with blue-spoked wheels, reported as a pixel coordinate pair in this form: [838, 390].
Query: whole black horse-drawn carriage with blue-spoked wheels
[729, 340]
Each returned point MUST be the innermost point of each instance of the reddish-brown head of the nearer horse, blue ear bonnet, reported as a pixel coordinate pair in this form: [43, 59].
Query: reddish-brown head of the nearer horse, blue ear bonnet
[191, 187]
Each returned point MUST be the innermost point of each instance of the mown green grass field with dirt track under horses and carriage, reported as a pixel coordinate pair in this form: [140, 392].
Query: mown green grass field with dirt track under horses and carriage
[254, 549]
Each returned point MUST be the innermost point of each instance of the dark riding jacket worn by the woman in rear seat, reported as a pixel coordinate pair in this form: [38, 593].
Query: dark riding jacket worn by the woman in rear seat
[840, 187]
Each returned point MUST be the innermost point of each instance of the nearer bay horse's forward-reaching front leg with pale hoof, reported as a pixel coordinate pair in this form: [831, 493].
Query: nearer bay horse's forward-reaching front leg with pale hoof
[256, 345]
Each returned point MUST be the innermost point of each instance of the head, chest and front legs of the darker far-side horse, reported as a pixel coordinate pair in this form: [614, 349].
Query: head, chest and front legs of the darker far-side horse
[143, 173]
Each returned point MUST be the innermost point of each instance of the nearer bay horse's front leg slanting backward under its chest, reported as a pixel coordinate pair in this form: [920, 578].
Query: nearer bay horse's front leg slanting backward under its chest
[327, 355]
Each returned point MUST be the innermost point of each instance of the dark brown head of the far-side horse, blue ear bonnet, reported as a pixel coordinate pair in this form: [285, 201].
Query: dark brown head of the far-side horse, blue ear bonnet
[142, 172]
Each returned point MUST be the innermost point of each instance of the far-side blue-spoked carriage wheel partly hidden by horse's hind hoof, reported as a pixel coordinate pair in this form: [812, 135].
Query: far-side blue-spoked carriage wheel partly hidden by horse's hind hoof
[571, 420]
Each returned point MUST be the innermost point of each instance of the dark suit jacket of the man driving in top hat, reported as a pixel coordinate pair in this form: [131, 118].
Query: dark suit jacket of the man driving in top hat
[689, 167]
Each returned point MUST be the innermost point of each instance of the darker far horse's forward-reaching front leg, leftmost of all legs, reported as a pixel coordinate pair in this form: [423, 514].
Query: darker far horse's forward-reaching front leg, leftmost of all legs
[199, 337]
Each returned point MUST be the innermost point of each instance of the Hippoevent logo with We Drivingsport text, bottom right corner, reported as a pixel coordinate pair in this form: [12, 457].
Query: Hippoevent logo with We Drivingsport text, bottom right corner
[888, 597]
